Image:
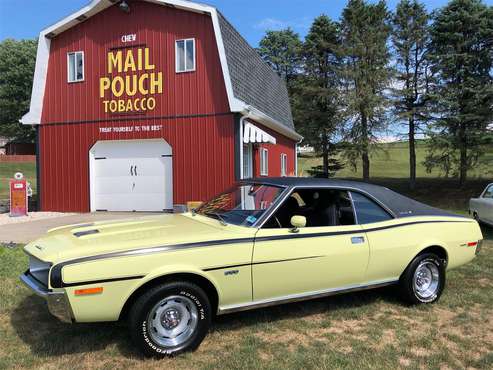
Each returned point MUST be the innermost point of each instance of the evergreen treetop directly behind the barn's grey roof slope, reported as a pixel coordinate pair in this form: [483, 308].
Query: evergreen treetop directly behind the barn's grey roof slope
[282, 51]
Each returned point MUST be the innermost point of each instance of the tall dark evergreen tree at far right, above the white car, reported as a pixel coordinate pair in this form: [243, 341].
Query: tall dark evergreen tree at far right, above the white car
[461, 54]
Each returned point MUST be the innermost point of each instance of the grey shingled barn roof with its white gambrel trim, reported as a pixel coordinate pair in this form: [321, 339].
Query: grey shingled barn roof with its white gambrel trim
[254, 89]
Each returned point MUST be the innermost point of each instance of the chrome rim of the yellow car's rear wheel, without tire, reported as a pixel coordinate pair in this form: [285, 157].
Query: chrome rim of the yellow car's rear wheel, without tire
[426, 281]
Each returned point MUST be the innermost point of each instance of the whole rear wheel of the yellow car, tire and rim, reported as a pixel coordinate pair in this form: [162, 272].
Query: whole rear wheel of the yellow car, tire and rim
[424, 279]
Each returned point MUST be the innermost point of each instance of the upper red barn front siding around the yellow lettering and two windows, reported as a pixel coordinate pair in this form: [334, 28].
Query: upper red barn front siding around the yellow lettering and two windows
[158, 27]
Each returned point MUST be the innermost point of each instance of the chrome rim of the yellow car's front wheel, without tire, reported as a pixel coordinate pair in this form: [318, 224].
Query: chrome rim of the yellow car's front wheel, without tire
[172, 321]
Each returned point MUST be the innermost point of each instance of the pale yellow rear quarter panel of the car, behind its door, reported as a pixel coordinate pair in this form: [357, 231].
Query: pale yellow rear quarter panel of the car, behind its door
[393, 248]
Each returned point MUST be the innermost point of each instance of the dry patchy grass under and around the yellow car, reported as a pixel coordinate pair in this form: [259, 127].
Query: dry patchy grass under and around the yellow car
[371, 329]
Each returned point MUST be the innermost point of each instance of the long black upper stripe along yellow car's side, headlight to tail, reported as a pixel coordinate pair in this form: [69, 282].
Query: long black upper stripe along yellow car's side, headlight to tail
[56, 272]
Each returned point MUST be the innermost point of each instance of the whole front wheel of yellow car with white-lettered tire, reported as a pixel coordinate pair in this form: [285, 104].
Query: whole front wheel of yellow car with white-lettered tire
[170, 319]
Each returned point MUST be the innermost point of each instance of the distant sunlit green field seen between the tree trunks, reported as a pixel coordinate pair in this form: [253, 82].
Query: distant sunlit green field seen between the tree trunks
[392, 161]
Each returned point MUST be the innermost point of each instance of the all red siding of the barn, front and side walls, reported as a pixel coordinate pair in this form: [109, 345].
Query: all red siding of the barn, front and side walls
[193, 109]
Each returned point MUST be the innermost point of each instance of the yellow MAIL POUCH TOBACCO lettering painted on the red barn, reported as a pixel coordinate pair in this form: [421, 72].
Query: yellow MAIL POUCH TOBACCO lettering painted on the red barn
[131, 82]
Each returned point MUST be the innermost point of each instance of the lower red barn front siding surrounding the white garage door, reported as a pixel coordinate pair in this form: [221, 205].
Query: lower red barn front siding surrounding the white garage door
[203, 158]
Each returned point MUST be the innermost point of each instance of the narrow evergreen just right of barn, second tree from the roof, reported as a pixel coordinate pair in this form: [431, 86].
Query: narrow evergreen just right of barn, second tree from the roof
[318, 92]
